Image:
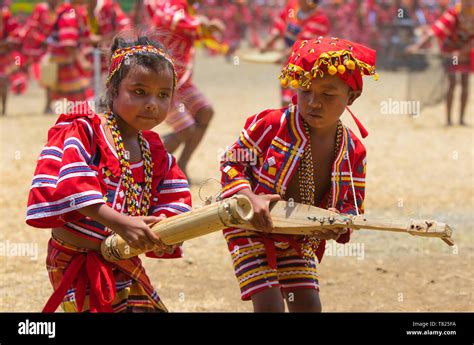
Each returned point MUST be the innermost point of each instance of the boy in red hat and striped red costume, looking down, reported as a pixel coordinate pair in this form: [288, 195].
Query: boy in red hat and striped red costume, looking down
[301, 153]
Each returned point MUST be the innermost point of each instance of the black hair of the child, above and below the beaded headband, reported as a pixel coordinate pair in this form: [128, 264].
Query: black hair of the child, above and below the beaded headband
[154, 62]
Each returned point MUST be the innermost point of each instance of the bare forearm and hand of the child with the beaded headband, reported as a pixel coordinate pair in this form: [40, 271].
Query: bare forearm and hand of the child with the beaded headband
[134, 230]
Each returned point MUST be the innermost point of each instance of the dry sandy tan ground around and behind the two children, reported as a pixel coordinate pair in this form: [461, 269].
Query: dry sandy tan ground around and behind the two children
[417, 168]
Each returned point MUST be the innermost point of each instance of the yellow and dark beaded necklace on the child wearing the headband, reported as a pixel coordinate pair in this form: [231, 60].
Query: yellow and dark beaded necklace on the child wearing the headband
[134, 208]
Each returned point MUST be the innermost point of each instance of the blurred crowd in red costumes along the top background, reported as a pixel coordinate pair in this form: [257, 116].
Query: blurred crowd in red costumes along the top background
[222, 26]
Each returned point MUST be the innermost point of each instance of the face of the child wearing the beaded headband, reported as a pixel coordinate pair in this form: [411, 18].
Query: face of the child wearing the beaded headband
[144, 97]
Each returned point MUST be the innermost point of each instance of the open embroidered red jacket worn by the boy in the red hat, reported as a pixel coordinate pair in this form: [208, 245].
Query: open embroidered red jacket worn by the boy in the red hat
[277, 139]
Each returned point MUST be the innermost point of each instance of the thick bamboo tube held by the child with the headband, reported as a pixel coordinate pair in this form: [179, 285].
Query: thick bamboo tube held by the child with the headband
[232, 212]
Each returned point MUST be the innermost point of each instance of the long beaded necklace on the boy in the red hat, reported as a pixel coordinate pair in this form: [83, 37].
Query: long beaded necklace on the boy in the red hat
[308, 188]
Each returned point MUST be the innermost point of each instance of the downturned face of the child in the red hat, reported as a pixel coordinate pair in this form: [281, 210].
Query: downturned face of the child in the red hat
[324, 101]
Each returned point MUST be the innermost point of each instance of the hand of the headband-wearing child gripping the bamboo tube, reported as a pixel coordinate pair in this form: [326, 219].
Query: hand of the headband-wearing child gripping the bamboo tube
[137, 233]
